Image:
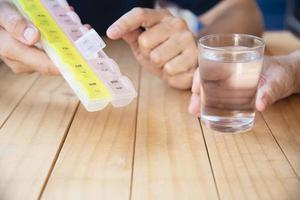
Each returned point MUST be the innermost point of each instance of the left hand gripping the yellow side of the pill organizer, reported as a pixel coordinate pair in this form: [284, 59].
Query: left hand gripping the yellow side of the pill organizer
[18, 37]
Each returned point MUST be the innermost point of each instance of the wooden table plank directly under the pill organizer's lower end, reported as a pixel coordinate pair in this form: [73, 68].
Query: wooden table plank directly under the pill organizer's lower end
[96, 159]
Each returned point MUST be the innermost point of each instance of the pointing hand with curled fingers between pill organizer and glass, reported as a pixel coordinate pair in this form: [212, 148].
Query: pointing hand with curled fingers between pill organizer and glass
[160, 42]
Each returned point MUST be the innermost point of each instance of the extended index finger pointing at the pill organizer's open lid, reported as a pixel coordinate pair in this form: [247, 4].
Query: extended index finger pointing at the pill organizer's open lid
[134, 19]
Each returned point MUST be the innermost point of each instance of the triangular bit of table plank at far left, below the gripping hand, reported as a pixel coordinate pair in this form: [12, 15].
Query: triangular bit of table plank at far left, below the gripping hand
[12, 89]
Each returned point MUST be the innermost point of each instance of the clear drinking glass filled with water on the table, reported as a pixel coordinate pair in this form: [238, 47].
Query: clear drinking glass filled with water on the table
[230, 66]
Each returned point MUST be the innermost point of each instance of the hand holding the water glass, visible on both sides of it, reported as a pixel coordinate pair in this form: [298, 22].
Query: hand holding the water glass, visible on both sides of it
[278, 80]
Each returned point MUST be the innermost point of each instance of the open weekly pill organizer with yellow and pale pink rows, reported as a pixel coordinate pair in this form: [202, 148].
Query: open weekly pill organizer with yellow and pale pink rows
[78, 54]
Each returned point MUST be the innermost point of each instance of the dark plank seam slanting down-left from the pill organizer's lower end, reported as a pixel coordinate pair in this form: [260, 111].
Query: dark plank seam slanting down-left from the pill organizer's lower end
[58, 153]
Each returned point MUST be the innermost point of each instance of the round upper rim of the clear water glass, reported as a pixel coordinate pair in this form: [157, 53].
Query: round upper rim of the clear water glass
[233, 35]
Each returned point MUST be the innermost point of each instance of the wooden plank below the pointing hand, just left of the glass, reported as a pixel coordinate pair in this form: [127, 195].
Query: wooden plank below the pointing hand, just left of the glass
[170, 156]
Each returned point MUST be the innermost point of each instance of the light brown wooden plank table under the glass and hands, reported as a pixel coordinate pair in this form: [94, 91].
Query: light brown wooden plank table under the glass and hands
[51, 148]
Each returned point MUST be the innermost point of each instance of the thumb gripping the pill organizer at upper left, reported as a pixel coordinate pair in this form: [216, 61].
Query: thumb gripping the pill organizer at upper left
[16, 25]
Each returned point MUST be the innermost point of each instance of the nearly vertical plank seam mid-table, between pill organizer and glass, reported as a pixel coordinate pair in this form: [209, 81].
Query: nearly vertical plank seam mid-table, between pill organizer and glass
[135, 131]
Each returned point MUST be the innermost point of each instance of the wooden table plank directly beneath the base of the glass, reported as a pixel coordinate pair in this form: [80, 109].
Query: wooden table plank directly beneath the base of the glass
[251, 165]
